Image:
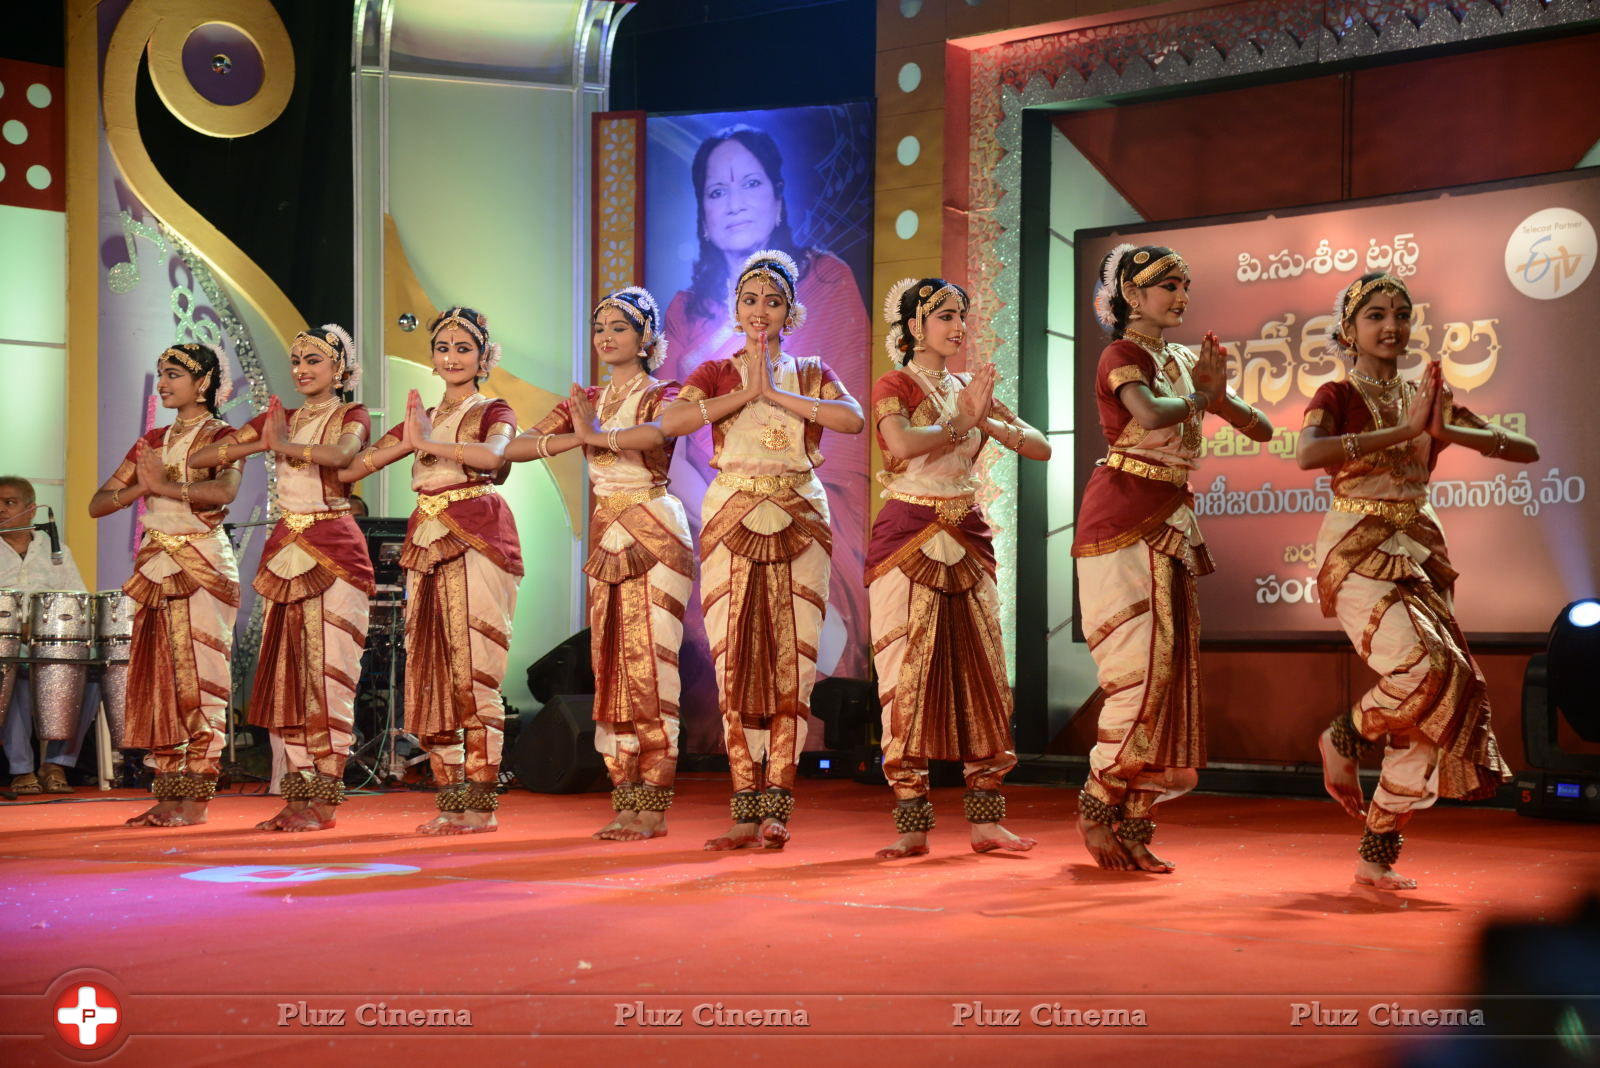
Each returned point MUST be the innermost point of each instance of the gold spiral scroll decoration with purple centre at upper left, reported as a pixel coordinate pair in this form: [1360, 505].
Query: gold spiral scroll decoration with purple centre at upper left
[161, 28]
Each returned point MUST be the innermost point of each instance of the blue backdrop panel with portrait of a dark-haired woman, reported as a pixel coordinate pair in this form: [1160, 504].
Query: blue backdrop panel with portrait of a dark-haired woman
[798, 180]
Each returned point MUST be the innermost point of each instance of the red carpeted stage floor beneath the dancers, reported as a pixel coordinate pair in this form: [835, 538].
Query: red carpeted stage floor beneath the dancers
[225, 942]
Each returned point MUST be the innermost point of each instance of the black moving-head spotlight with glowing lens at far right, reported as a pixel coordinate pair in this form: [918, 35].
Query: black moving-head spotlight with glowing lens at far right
[1562, 679]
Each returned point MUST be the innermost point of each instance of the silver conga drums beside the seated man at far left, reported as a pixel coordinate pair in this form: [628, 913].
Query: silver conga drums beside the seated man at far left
[62, 636]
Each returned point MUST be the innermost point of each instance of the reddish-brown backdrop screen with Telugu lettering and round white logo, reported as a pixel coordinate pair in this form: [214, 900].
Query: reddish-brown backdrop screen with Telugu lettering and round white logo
[1500, 276]
